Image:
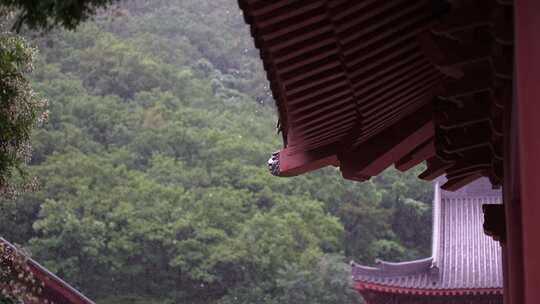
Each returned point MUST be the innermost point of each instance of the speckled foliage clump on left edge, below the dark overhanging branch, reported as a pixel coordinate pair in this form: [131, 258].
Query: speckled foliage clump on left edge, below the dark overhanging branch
[20, 110]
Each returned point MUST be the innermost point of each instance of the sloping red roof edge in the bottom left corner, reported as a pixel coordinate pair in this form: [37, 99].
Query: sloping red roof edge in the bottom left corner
[55, 289]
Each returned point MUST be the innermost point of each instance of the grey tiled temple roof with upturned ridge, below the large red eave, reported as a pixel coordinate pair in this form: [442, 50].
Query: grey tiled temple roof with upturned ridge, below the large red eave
[464, 260]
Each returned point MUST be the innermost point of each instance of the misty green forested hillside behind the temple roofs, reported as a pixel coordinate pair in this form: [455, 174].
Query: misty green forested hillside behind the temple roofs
[154, 187]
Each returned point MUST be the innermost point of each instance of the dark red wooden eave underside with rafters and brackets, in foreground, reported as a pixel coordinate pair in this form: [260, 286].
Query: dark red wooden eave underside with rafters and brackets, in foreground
[364, 84]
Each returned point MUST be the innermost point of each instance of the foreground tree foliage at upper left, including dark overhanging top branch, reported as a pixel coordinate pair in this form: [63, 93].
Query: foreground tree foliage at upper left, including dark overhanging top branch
[20, 108]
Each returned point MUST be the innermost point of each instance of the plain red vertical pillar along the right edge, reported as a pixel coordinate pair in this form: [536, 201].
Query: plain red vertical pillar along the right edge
[527, 85]
